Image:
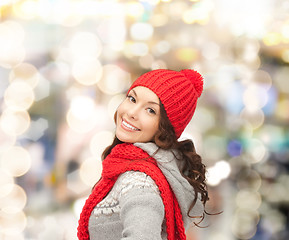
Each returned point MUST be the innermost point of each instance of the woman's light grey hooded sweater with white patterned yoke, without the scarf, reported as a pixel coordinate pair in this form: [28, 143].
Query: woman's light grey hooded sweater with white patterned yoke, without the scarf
[133, 209]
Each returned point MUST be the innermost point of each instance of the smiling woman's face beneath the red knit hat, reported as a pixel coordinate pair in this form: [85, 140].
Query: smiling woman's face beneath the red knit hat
[138, 116]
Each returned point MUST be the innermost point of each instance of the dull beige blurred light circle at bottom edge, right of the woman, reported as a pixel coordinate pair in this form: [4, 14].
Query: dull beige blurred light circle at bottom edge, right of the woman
[244, 223]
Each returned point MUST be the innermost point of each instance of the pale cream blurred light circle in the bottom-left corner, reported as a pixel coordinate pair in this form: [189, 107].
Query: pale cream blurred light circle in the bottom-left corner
[12, 223]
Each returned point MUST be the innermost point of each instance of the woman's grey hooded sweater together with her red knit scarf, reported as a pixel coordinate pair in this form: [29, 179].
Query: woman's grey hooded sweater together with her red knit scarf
[141, 195]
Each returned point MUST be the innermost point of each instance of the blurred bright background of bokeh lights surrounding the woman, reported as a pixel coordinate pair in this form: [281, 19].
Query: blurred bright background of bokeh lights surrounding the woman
[65, 65]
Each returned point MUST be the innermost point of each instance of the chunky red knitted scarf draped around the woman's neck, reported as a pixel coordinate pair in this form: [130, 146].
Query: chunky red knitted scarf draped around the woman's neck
[127, 157]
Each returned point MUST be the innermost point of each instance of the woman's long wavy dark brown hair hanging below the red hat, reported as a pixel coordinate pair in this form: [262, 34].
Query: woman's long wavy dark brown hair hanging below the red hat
[192, 167]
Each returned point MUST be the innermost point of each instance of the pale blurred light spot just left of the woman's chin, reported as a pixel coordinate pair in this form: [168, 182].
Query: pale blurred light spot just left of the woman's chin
[99, 142]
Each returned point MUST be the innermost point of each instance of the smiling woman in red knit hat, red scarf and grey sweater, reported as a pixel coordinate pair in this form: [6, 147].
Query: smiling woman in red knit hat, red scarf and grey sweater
[152, 185]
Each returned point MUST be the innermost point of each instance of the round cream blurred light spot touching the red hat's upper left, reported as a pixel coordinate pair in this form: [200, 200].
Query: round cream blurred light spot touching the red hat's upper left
[114, 80]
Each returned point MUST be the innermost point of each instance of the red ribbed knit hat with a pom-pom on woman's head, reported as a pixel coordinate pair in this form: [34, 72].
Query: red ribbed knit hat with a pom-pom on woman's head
[178, 92]
